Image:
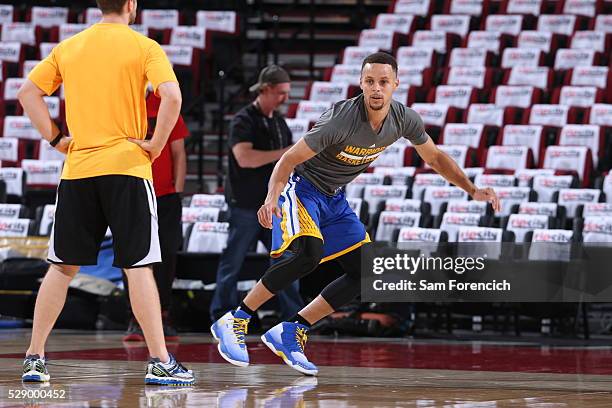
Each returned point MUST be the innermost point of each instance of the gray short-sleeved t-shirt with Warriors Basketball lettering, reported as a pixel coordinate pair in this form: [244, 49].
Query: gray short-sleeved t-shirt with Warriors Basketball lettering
[346, 144]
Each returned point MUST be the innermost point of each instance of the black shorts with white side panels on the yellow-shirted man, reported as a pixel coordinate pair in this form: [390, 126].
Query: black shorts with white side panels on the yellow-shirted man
[87, 207]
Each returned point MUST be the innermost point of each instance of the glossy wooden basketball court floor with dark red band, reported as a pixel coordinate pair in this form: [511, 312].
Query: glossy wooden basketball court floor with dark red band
[98, 370]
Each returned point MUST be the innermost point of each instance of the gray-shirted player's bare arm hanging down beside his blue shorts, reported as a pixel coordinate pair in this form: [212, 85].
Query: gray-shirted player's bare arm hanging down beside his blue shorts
[297, 154]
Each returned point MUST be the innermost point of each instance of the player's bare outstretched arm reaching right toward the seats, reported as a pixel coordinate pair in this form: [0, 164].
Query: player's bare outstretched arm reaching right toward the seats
[444, 165]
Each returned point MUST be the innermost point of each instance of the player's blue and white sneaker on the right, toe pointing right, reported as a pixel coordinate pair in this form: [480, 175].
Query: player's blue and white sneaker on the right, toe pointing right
[287, 340]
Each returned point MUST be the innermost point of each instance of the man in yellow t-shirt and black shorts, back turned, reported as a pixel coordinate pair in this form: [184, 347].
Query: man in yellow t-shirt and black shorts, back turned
[106, 181]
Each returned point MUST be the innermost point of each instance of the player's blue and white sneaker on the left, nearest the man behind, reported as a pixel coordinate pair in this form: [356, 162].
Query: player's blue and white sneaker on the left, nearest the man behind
[229, 331]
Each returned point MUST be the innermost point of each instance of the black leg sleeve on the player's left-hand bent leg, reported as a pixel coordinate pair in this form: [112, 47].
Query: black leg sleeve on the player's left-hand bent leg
[307, 254]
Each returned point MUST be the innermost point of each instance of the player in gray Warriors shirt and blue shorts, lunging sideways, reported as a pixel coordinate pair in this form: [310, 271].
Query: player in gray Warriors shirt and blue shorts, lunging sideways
[310, 216]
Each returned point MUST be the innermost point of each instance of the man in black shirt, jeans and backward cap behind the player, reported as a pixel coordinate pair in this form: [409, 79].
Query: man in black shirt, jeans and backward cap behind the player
[258, 137]
